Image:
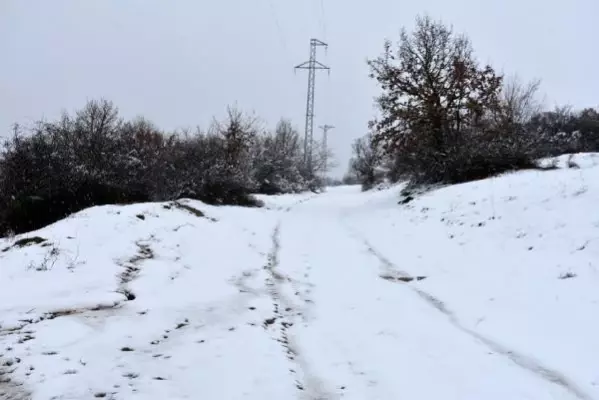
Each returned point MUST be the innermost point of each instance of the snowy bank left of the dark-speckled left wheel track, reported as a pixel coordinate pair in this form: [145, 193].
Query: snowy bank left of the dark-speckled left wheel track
[145, 301]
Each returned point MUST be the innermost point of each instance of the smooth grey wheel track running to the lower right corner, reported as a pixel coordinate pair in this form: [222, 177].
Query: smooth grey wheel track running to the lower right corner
[528, 363]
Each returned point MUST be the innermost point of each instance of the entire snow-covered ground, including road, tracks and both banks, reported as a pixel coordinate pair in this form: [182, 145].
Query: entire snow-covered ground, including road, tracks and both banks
[486, 290]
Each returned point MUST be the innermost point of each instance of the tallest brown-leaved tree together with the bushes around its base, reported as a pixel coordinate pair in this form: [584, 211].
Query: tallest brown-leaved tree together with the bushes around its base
[443, 117]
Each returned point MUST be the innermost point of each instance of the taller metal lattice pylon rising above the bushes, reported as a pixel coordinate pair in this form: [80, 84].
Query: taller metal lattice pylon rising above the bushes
[312, 65]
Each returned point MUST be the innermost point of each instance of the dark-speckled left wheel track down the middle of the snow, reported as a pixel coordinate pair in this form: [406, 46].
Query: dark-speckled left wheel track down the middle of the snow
[311, 387]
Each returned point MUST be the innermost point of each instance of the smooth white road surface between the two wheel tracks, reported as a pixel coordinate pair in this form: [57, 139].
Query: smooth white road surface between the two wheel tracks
[358, 335]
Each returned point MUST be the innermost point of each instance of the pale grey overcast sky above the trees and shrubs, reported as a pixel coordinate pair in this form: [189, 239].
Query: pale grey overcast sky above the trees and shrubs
[180, 62]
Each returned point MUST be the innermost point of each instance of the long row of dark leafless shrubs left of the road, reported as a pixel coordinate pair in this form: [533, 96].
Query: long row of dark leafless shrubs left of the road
[93, 157]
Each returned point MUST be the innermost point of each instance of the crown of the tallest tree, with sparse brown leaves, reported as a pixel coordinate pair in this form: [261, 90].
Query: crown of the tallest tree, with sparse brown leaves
[432, 87]
